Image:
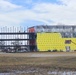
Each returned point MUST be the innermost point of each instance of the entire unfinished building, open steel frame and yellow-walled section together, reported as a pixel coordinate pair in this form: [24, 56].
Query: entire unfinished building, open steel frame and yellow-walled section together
[38, 38]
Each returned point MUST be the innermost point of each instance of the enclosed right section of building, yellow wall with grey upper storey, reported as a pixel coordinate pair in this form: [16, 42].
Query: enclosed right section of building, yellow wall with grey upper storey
[54, 38]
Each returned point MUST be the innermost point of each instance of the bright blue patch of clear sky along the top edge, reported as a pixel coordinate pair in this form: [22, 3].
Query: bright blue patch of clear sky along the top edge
[29, 3]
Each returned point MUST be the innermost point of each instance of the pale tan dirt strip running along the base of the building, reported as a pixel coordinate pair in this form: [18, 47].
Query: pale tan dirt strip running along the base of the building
[39, 54]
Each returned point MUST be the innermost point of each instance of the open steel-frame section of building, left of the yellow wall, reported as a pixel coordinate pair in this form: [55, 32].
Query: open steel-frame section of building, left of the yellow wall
[16, 39]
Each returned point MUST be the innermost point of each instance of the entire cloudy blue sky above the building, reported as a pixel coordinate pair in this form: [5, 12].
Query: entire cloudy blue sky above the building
[37, 12]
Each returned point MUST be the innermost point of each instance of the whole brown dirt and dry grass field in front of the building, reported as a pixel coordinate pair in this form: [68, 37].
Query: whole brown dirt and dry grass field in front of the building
[38, 62]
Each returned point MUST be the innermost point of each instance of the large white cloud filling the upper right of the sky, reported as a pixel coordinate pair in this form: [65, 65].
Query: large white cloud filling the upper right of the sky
[63, 13]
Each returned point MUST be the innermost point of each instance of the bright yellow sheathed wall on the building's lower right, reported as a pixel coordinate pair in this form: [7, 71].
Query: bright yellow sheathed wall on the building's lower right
[54, 41]
